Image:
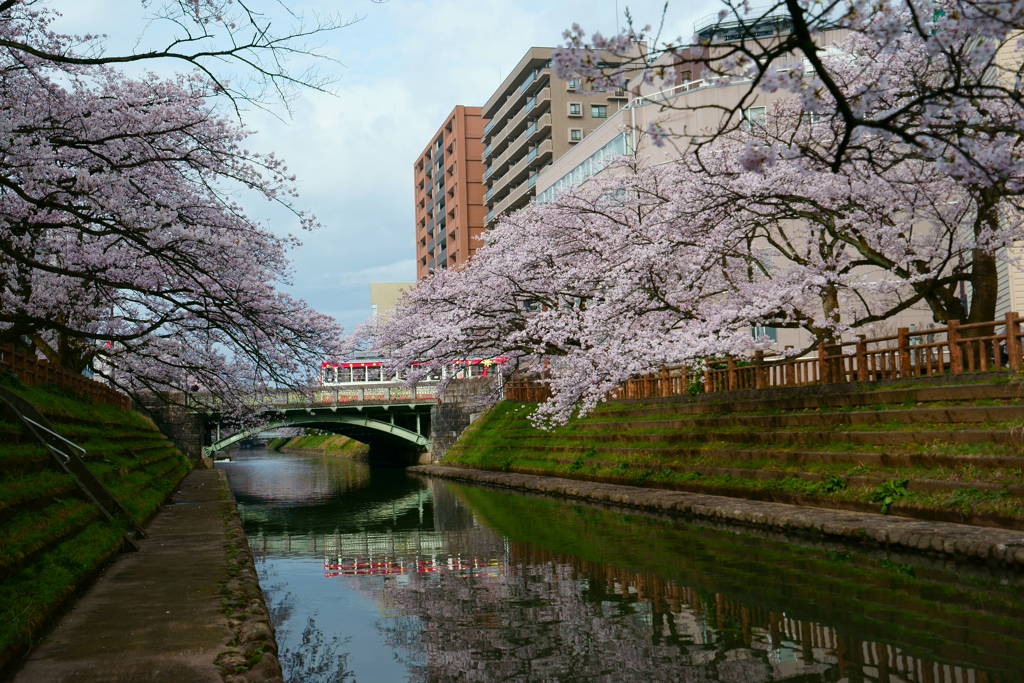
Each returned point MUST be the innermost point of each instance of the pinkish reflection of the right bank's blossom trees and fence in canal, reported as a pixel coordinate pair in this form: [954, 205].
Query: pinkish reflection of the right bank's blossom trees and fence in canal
[553, 617]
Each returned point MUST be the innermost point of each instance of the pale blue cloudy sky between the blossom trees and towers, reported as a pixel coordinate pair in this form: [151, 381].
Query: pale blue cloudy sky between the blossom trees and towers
[402, 68]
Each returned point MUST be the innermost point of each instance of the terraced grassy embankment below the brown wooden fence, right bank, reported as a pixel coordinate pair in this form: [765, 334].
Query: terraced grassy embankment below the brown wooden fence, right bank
[947, 450]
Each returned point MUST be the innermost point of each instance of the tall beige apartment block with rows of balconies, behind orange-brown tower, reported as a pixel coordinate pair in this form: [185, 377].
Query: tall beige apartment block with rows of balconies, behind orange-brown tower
[535, 118]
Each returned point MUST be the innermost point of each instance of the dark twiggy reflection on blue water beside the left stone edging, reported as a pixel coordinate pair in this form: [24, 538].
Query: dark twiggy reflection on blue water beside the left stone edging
[311, 658]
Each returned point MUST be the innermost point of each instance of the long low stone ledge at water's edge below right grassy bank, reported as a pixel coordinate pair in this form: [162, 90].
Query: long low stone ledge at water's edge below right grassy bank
[1004, 547]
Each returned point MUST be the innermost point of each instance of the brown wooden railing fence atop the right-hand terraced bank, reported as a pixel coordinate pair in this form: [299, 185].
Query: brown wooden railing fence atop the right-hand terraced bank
[953, 349]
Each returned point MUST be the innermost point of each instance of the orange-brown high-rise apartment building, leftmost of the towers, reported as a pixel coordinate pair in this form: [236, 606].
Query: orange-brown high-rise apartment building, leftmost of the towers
[449, 193]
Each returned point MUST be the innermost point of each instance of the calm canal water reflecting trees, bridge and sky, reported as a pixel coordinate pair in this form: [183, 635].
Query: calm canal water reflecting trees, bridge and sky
[376, 575]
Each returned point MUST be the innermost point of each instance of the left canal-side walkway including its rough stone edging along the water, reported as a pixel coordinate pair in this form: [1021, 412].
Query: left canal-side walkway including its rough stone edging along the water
[187, 607]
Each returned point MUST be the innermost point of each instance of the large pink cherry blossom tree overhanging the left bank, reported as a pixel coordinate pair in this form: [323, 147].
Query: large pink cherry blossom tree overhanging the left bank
[125, 245]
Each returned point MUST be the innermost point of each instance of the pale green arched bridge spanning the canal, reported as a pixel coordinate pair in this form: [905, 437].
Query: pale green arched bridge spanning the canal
[390, 417]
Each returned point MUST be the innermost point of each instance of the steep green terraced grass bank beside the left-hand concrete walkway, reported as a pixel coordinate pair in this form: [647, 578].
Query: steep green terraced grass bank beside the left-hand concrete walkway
[54, 540]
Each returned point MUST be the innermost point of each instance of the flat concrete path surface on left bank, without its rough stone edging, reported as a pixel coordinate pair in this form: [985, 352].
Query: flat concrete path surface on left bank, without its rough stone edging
[155, 615]
